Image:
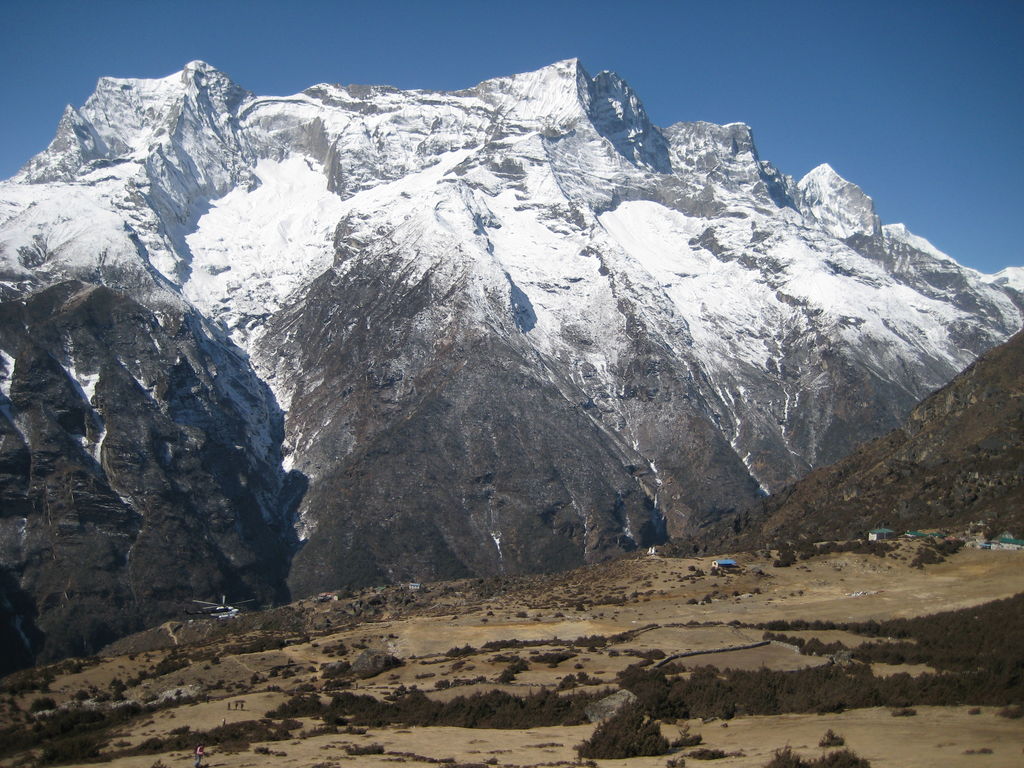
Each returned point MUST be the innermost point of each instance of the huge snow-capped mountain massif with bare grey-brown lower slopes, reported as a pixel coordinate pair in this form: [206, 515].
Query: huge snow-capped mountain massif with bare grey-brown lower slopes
[516, 327]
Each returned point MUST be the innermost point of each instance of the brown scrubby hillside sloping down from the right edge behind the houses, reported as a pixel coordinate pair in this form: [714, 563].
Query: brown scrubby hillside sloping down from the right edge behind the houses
[958, 459]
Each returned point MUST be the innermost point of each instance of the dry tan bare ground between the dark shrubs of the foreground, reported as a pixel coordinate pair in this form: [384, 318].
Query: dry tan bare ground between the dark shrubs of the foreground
[653, 599]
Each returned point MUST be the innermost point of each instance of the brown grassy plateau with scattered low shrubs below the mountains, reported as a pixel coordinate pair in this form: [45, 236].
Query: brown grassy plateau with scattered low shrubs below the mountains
[646, 610]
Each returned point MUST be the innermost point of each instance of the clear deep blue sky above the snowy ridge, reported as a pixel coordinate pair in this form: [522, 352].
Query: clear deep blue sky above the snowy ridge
[921, 103]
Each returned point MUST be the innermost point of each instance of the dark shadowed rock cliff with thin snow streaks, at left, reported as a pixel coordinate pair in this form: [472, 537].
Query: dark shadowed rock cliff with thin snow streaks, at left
[132, 476]
